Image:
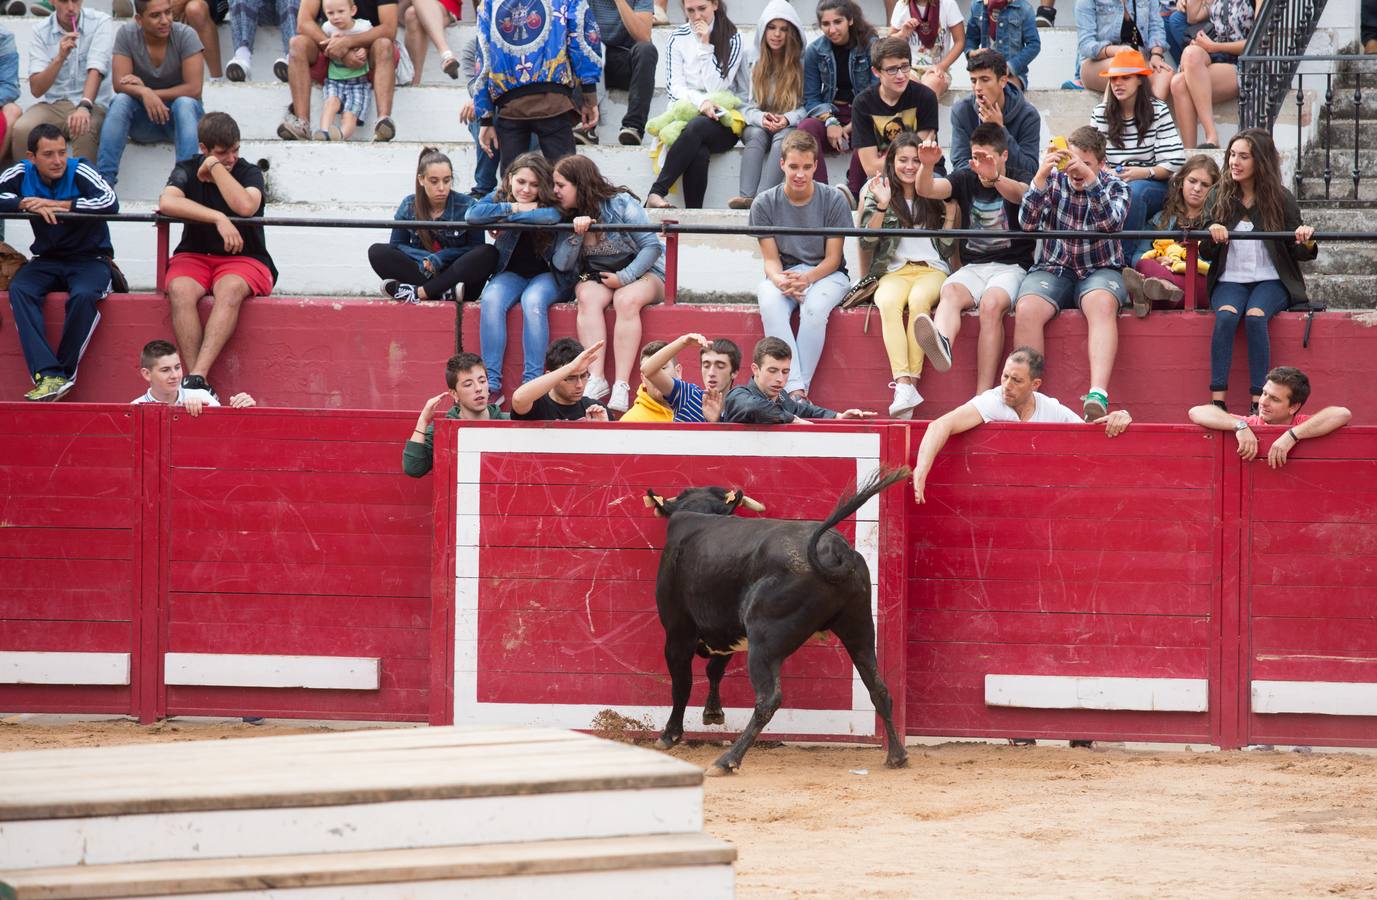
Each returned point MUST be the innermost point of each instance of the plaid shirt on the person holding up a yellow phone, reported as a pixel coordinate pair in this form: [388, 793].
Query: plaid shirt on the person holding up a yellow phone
[1102, 207]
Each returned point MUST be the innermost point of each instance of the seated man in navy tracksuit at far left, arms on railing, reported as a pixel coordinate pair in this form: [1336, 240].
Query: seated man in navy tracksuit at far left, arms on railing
[72, 257]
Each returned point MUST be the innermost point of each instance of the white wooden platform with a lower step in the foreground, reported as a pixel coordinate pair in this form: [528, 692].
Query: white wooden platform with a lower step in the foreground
[352, 808]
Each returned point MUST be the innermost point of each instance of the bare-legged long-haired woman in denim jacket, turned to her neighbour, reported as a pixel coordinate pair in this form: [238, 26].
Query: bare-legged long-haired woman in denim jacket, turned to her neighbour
[623, 269]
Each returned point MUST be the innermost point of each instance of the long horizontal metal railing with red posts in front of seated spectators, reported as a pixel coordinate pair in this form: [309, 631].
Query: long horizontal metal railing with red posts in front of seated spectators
[673, 231]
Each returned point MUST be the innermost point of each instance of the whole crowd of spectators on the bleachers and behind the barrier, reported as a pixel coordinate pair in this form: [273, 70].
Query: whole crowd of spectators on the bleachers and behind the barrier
[536, 69]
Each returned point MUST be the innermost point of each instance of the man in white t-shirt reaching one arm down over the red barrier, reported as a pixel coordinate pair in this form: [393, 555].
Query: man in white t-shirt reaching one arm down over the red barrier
[1016, 401]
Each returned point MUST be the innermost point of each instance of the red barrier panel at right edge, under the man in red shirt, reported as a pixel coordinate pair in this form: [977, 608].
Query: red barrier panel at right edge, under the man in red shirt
[1310, 627]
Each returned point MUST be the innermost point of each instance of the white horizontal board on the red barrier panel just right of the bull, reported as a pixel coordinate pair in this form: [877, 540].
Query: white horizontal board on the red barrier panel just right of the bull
[1153, 696]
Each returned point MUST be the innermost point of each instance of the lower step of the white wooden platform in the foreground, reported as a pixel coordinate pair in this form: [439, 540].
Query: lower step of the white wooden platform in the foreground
[578, 870]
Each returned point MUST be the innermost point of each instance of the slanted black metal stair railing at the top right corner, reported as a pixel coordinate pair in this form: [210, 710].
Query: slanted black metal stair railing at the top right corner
[1272, 57]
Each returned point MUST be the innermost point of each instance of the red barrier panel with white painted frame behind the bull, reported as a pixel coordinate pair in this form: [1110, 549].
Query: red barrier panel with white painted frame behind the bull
[557, 558]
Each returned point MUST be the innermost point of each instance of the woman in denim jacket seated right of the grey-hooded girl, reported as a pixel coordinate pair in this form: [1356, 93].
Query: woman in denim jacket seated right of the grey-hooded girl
[828, 87]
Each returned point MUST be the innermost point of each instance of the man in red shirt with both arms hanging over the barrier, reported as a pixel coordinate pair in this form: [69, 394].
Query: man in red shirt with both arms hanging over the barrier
[1285, 393]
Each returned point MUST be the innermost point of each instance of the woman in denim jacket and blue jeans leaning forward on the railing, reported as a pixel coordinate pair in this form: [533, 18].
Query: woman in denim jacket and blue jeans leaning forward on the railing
[525, 268]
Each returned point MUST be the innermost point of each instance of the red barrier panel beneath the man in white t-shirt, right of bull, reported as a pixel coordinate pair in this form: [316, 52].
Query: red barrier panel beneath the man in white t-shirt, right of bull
[1049, 555]
